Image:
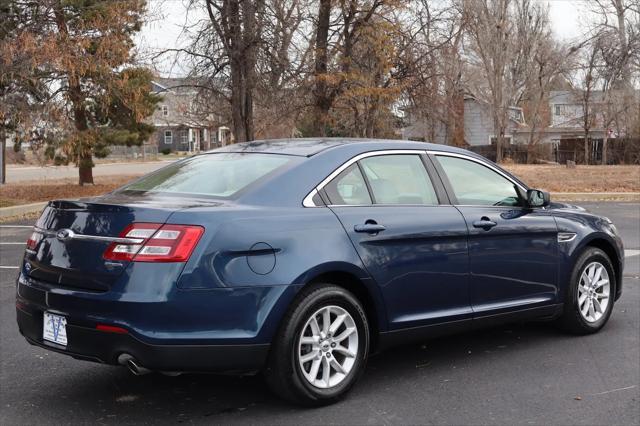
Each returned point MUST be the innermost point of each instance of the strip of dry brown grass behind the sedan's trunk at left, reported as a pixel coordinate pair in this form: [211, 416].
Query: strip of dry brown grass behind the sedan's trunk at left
[33, 192]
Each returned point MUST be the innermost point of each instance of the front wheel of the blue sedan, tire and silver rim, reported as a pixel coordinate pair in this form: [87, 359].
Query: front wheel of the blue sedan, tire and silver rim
[581, 295]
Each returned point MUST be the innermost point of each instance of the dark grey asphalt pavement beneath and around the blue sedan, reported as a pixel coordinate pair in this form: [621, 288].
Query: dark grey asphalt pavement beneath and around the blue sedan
[515, 374]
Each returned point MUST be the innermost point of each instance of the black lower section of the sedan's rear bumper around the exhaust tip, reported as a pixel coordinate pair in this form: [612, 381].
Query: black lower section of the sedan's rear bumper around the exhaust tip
[98, 346]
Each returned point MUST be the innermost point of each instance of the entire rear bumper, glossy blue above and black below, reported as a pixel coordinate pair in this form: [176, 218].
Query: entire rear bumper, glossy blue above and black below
[220, 330]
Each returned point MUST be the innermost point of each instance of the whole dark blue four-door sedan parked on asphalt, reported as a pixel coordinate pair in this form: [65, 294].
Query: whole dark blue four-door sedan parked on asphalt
[299, 258]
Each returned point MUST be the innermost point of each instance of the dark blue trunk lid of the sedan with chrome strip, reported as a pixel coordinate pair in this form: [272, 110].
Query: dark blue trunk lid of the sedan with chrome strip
[72, 237]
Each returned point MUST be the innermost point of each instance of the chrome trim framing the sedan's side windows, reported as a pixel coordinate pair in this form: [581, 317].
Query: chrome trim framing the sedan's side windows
[308, 200]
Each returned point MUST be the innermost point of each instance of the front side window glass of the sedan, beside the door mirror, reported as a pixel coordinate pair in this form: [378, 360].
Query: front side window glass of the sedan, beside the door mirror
[475, 184]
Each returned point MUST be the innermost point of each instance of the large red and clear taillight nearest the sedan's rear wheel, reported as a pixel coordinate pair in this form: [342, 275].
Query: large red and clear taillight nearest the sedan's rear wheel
[154, 242]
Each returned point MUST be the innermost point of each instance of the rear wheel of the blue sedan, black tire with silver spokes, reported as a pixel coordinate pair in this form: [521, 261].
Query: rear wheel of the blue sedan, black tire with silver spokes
[287, 372]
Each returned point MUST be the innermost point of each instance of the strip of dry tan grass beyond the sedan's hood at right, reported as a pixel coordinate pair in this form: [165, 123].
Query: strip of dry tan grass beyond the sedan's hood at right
[557, 178]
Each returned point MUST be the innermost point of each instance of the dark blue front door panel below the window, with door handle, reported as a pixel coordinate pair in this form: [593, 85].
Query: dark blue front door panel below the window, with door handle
[515, 262]
